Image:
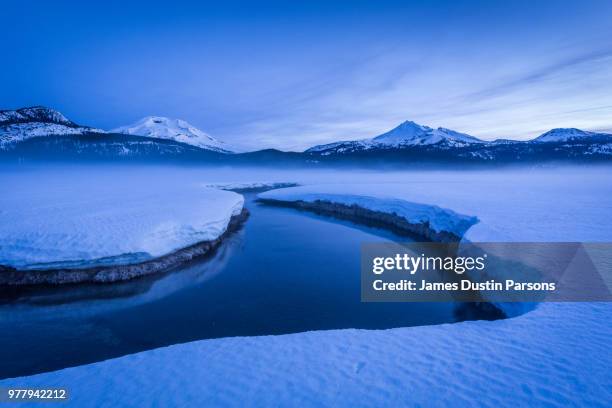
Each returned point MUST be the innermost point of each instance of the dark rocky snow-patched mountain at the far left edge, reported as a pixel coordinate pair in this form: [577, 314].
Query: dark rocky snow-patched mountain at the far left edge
[22, 124]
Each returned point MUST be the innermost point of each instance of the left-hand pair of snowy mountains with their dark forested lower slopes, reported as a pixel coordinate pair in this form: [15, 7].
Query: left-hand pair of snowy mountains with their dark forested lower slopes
[40, 133]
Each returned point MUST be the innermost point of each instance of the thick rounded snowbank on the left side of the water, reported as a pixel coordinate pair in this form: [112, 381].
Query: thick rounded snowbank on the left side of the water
[81, 224]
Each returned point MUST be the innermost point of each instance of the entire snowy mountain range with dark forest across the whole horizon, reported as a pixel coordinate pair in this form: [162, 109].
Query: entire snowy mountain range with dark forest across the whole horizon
[39, 133]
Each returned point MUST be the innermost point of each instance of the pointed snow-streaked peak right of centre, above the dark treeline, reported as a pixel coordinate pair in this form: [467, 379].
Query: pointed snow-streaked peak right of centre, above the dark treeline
[405, 135]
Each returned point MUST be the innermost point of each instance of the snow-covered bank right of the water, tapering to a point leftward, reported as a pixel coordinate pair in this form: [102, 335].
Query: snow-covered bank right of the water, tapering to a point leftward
[521, 208]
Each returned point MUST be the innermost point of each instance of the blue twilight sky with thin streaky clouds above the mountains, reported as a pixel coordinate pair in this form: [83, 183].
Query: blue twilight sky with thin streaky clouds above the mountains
[293, 74]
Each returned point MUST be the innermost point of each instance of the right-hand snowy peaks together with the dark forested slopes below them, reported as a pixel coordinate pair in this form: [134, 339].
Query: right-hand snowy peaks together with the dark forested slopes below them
[413, 144]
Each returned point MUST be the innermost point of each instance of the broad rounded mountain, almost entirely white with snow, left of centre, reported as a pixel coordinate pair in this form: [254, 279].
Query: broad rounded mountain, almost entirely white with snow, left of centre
[173, 129]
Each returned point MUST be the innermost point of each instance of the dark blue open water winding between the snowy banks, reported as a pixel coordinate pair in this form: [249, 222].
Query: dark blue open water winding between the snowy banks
[286, 271]
